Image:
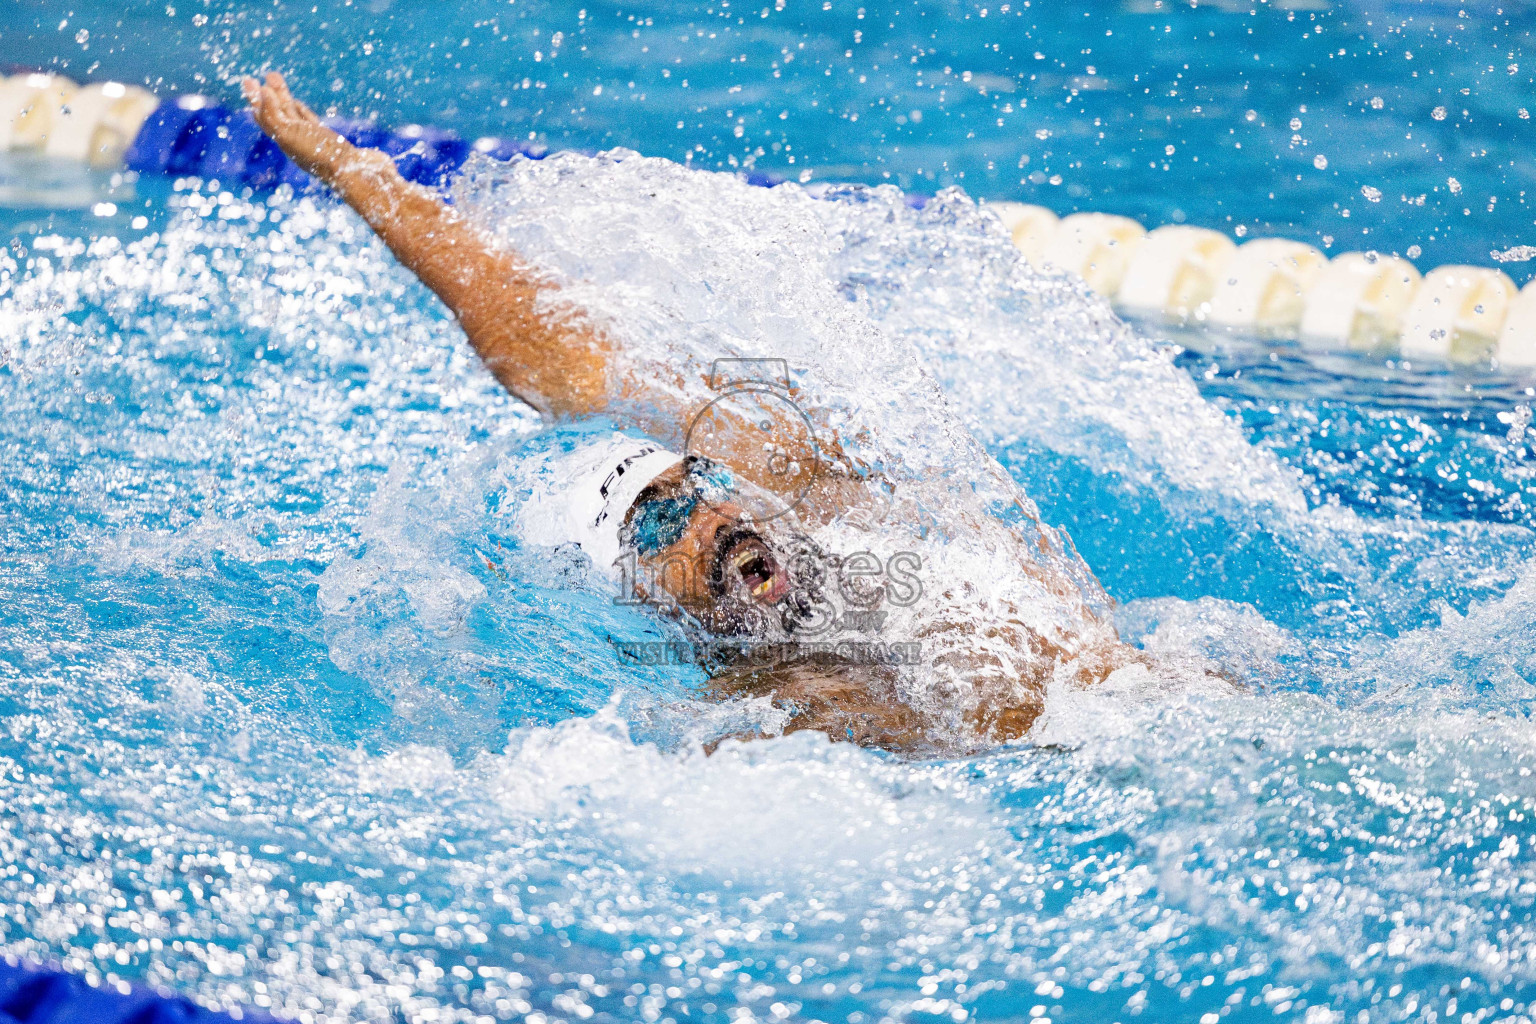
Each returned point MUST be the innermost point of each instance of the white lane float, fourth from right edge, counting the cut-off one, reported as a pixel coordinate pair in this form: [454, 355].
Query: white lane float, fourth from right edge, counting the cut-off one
[1265, 286]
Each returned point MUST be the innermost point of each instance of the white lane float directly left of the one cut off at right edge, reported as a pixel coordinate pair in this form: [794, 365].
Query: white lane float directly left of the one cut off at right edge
[1458, 314]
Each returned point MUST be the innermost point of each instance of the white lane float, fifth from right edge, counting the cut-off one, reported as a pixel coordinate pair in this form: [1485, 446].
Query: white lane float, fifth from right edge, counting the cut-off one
[1174, 273]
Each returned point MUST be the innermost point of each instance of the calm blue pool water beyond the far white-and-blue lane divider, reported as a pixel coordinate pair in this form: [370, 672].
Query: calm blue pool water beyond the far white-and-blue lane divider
[1210, 114]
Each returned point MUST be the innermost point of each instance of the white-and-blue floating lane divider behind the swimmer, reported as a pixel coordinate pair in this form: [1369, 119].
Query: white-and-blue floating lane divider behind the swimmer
[1270, 288]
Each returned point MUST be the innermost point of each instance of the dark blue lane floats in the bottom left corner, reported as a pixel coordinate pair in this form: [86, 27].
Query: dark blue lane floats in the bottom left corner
[41, 996]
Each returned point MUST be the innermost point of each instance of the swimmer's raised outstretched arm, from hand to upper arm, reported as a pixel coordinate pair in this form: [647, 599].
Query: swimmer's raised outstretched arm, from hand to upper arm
[549, 360]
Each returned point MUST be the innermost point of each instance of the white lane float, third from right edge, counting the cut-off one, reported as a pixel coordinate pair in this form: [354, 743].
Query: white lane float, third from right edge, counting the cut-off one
[1359, 302]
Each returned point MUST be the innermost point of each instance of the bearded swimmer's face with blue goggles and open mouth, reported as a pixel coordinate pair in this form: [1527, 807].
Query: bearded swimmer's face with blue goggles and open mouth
[701, 550]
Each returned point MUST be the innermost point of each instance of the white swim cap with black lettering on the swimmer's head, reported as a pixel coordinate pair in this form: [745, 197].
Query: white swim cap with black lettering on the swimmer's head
[583, 497]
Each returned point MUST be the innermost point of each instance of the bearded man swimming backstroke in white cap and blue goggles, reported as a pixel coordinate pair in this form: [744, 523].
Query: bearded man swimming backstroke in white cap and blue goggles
[646, 510]
